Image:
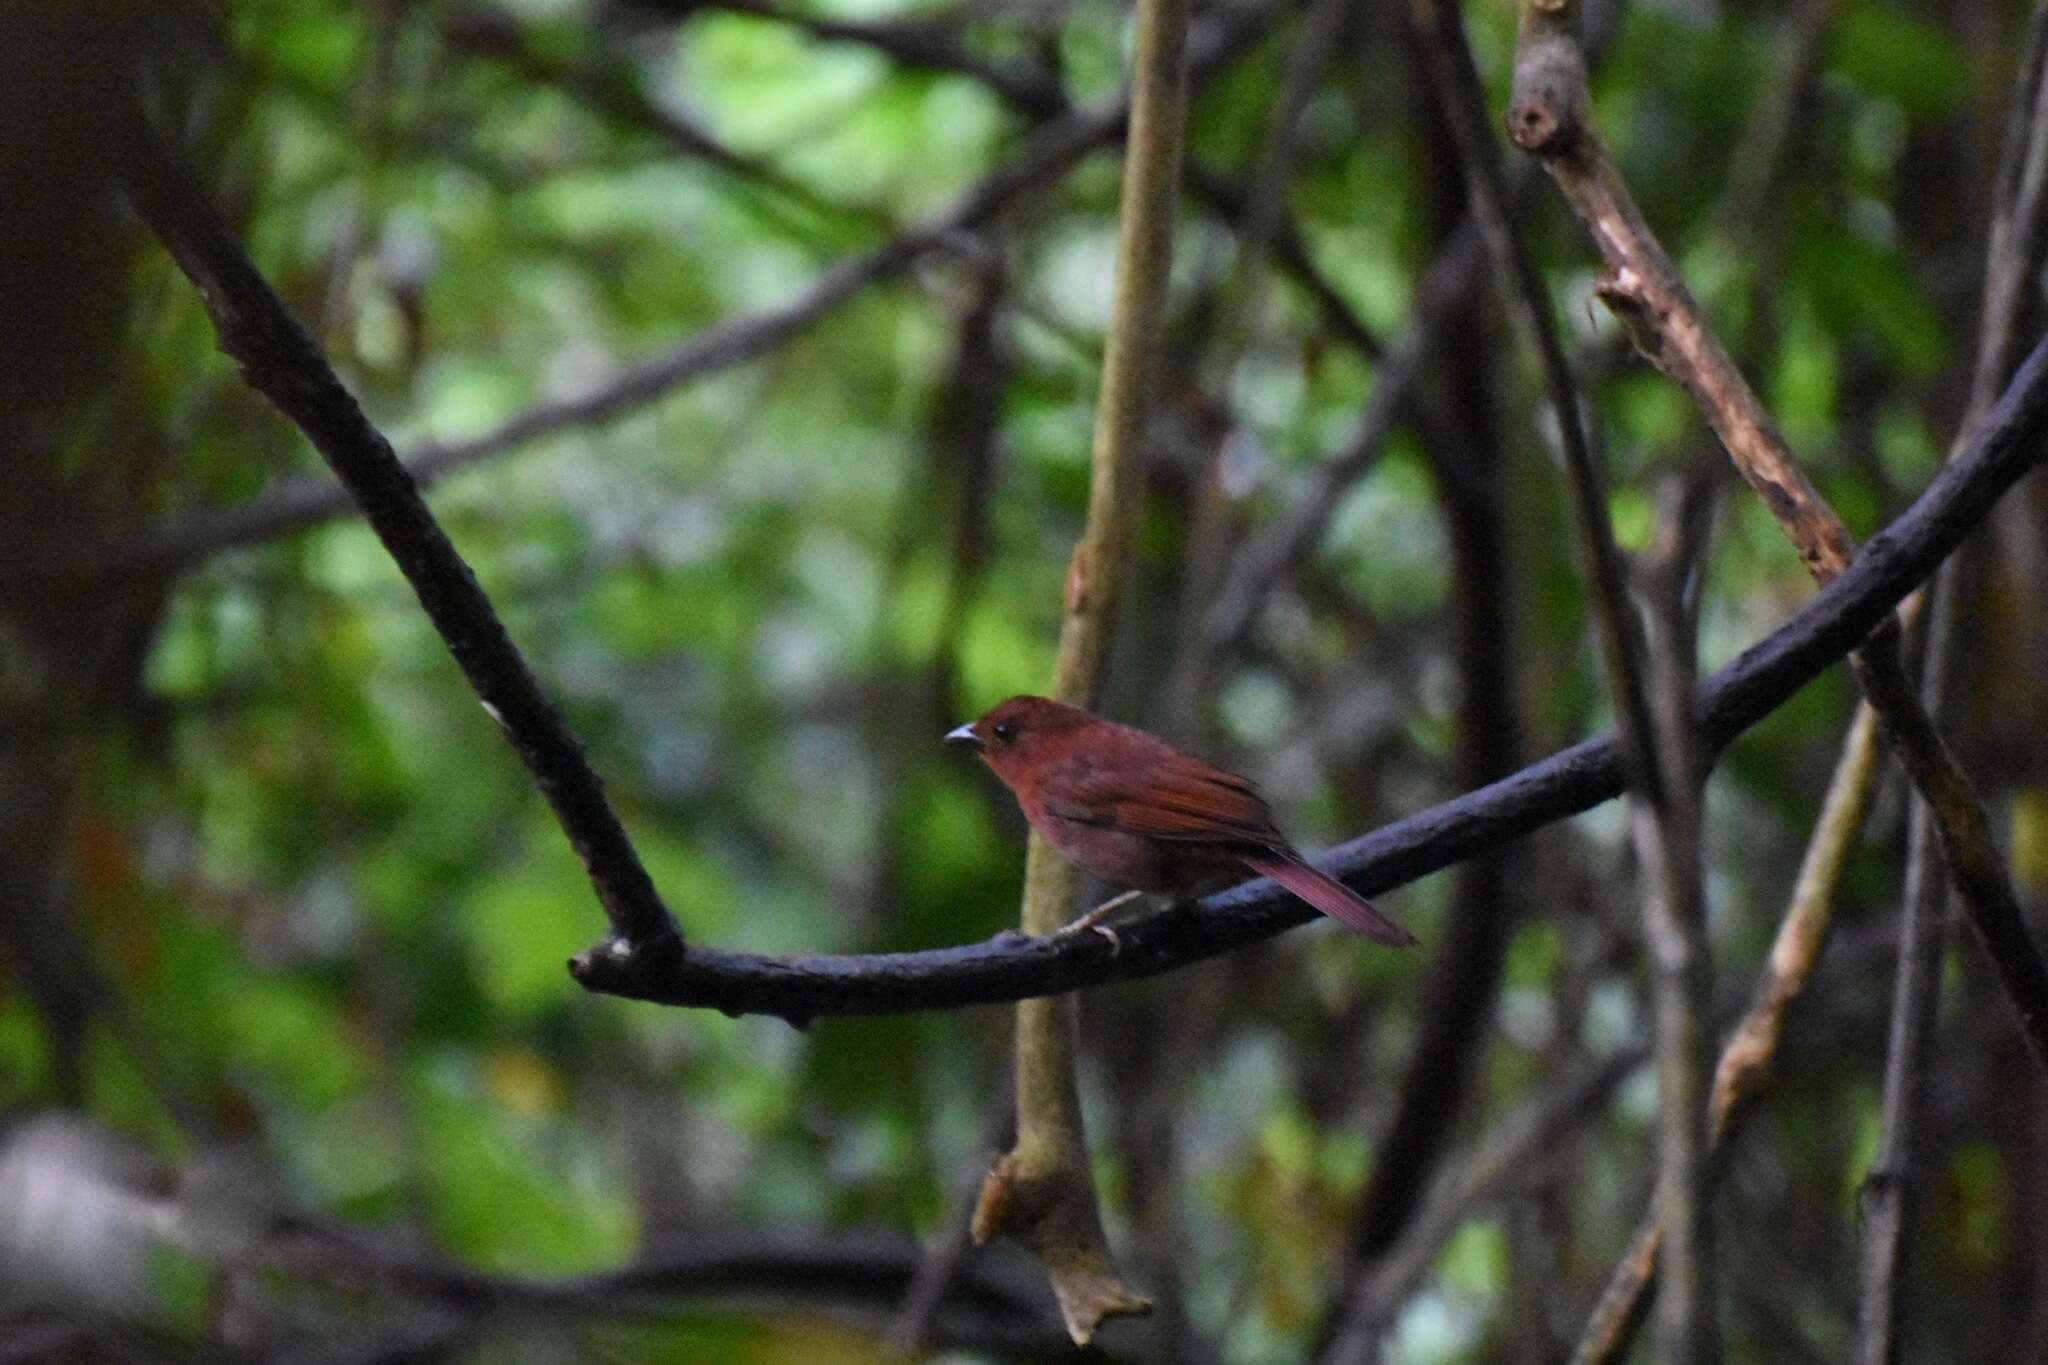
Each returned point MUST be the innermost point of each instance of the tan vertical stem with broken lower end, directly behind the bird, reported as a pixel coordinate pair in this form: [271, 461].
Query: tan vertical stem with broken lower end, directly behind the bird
[1041, 1192]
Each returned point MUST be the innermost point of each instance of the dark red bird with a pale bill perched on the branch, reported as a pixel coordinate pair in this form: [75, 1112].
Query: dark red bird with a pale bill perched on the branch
[1140, 813]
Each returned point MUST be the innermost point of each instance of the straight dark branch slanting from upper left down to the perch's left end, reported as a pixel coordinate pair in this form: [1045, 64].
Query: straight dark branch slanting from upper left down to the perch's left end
[284, 363]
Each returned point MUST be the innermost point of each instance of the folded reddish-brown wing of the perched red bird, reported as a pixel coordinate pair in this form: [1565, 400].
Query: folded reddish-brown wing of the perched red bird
[1168, 797]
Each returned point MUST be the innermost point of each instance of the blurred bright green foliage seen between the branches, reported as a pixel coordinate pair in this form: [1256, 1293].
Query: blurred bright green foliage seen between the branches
[337, 914]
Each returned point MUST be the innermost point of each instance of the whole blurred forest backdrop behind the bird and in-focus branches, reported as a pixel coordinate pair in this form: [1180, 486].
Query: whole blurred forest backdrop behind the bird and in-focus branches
[749, 351]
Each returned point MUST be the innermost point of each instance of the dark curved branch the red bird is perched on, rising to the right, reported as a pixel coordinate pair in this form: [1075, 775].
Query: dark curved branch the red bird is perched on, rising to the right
[1011, 967]
